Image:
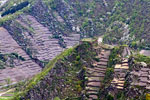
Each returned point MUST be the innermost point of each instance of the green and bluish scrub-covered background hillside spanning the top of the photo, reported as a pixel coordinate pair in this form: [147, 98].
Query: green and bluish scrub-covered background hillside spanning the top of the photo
[124, 21]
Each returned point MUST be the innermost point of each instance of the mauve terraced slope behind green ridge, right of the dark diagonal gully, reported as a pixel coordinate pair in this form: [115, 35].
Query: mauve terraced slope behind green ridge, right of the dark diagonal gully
[42, 40]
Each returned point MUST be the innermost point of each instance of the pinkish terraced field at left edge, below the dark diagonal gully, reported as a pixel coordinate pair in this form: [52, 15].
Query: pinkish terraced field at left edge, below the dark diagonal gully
[22, 69]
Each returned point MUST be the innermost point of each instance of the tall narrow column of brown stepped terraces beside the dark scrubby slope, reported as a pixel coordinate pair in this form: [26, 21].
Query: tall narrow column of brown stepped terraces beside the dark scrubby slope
[96, 75]
